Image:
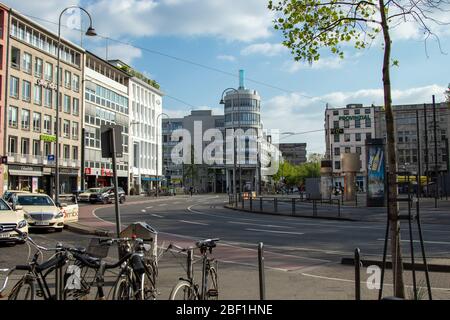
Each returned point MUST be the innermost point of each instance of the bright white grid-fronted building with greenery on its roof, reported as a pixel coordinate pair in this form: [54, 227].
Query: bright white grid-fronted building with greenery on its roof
[145, 130]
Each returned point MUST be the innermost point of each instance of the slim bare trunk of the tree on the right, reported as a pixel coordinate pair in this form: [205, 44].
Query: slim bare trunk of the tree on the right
[397, 262]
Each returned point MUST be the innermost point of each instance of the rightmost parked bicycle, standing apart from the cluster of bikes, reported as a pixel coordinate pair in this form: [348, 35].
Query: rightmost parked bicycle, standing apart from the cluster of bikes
[187, 288]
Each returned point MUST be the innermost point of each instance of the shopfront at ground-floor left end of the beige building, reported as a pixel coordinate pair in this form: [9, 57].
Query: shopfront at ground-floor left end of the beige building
[26, 178]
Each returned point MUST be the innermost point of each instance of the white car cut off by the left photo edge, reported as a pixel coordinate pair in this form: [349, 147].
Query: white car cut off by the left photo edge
[10, 220]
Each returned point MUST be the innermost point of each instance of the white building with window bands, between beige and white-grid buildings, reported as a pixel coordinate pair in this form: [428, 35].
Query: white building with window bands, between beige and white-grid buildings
[106, 103]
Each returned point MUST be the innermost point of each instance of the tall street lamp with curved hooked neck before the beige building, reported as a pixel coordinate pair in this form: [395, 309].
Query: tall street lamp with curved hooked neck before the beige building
[90, 32]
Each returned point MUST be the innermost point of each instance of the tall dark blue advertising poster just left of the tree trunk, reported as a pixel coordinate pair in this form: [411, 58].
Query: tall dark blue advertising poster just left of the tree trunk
[375, 173]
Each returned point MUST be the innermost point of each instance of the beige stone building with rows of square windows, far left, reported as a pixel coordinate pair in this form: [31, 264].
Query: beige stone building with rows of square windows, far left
[30, 107]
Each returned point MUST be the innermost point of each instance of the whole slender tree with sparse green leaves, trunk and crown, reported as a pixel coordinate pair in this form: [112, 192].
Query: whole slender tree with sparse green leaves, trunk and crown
[310, 25]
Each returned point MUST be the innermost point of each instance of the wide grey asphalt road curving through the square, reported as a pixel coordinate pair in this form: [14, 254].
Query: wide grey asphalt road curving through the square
[302, 256]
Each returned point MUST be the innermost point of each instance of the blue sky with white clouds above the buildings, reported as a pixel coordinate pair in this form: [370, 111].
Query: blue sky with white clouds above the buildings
[195, 48]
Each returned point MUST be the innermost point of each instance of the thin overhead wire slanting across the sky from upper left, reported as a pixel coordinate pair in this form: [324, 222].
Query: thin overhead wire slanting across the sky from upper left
[189, 62]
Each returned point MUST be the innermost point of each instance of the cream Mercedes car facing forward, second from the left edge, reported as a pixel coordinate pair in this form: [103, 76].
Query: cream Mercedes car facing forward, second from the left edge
[40, 211]
